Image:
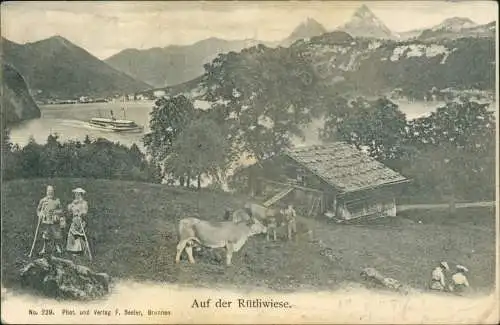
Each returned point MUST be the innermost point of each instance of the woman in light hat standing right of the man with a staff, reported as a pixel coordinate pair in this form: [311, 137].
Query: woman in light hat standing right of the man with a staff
[76, 240]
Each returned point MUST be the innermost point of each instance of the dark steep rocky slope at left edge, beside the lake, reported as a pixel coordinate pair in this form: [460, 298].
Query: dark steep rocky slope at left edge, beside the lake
[16, 100]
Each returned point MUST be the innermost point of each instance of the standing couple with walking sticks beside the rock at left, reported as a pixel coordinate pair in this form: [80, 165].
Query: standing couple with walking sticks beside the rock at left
[52, 222]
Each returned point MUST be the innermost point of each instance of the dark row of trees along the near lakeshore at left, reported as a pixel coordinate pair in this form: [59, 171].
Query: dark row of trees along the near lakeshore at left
[97, 158]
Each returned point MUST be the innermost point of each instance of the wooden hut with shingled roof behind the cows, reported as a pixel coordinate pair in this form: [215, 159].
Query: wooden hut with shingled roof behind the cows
[336, 180]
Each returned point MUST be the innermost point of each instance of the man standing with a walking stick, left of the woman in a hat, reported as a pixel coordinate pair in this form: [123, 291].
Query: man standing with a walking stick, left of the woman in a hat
[51, 221]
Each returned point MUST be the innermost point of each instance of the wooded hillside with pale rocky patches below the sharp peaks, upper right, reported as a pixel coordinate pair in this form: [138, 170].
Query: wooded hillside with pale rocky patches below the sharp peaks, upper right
[359, 66]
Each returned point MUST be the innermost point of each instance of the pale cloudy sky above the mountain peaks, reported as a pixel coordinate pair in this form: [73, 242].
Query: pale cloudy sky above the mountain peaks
[105, 28]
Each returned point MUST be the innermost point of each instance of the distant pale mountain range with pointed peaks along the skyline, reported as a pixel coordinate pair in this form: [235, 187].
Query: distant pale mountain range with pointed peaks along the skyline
[173, 65]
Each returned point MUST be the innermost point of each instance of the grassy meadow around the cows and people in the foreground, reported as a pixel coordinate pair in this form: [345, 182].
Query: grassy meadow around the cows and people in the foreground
[137, 239]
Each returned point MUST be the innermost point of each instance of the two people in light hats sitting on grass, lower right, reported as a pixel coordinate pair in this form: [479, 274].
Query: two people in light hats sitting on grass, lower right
[457, 283]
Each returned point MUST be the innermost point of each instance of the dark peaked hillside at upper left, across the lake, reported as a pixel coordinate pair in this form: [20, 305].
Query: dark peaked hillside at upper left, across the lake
[57, 68]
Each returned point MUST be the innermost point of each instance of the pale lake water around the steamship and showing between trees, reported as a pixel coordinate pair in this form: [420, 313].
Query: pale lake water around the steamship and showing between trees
[69, 121]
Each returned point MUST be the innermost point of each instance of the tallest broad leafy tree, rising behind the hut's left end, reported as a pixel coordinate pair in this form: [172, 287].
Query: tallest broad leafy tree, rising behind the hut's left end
[264, 95]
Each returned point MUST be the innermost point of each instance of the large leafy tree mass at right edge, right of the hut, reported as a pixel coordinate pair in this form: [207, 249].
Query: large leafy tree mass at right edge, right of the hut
[455, 150]
